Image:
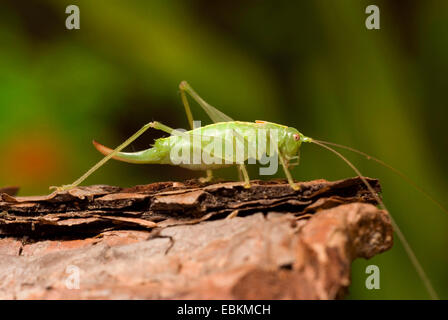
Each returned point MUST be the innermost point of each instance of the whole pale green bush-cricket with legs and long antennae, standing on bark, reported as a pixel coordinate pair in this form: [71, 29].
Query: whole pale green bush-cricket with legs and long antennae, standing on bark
[226, 131]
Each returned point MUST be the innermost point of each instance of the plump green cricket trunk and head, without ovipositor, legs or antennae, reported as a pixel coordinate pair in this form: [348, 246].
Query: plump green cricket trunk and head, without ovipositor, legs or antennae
[226, 143]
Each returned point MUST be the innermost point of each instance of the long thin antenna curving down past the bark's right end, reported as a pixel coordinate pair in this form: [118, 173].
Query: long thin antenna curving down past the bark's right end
[418, 267]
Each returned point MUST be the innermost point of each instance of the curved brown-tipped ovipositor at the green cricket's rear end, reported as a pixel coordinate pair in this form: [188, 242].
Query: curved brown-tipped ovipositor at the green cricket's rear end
[151, 155]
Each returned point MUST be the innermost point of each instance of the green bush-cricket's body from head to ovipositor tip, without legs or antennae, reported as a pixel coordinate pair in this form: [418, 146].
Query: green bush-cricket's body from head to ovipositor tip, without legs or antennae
[288, 139]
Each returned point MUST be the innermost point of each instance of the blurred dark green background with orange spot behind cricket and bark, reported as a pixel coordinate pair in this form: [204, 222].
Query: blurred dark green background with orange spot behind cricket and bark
[312, 65]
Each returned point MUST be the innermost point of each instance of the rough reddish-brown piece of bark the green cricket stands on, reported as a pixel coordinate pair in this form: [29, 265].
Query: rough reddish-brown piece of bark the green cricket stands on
[173, 240]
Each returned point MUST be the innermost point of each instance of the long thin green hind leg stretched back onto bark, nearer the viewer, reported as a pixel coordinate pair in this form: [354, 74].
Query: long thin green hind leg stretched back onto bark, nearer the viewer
[154, 124]
